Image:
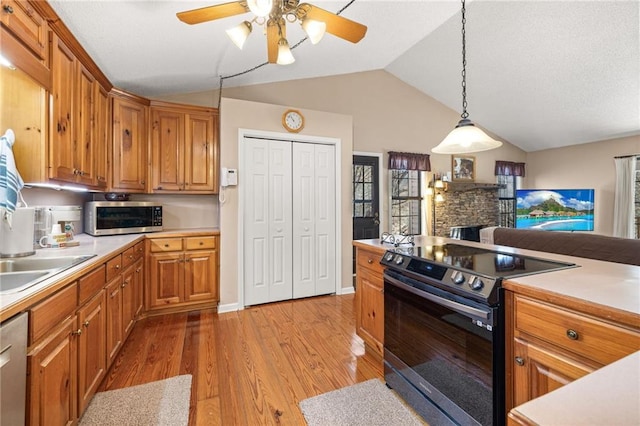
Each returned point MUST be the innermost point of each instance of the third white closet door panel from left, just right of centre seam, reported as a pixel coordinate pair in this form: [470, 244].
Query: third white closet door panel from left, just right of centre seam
[303, 220]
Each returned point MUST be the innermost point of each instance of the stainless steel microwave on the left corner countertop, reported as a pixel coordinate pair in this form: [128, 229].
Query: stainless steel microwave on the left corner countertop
[122, 217]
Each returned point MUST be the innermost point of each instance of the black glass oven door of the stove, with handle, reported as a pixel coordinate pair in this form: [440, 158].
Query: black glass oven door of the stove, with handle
[443, 353]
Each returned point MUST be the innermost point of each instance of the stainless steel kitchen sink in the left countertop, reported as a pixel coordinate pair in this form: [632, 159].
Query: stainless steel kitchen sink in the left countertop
[19, 274]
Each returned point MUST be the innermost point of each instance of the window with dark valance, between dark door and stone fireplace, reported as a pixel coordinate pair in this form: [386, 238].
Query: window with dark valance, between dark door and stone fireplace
[406, 202]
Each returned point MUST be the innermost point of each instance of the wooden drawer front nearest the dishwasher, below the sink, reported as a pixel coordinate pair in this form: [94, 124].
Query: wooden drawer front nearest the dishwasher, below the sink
[44, 316]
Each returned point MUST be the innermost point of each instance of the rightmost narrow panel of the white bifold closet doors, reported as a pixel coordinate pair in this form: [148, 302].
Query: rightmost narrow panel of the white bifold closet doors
[325, 219]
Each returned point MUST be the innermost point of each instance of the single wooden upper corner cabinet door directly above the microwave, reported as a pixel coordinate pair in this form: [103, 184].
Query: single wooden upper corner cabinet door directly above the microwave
[129, 158]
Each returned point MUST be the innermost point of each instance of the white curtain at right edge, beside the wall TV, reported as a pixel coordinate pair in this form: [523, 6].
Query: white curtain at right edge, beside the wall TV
[623, 204]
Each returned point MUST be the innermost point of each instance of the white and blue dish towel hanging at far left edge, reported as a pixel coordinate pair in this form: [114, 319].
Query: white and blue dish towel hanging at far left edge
[11, 182]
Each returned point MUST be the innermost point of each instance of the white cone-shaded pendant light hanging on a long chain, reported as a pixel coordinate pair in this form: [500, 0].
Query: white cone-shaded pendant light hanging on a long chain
[466, 137]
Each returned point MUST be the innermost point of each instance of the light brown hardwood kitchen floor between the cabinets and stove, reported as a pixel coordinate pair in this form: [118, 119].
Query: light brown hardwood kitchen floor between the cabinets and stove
[250, 367]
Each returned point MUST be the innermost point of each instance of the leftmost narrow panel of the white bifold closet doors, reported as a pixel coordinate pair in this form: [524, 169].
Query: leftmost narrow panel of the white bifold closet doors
[256, 223]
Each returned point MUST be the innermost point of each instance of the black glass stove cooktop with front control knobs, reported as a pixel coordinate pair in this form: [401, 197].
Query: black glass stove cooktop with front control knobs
[468, 271]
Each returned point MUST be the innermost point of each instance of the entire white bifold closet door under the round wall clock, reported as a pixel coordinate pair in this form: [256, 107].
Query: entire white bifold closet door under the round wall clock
[289, 220]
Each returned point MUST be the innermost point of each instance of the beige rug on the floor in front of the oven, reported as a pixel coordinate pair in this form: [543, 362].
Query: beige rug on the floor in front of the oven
[367, 403]
